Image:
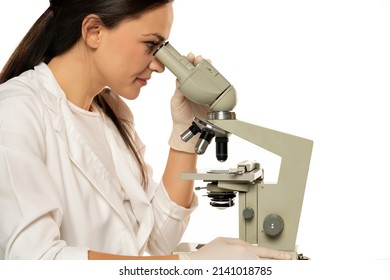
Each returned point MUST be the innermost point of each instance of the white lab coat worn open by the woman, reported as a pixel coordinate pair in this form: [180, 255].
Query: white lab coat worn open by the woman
[56, 198]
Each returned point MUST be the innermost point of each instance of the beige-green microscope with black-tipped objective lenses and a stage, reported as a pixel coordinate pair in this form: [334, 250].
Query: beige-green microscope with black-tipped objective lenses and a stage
[269, 214]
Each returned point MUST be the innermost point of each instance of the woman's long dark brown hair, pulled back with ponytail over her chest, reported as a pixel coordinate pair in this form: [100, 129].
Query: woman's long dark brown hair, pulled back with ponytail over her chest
[59, 28]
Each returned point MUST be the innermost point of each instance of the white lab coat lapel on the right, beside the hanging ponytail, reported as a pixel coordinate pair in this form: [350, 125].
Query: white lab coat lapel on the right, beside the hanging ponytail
[129, 179]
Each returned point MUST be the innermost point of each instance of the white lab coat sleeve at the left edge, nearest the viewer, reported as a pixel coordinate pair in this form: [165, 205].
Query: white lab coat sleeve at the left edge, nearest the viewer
[30, 212]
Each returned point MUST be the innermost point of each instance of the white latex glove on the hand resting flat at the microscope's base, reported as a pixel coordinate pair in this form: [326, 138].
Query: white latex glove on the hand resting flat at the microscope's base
[223, 248]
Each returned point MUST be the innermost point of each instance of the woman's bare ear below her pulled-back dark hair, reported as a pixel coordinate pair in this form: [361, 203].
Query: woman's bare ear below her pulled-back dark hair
[92, 30]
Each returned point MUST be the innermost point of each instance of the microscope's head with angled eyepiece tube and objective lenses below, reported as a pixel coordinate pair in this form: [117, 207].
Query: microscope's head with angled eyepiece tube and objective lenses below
[204, 85]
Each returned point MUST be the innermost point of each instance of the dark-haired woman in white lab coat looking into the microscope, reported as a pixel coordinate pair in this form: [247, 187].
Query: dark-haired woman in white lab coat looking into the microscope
[74, 184]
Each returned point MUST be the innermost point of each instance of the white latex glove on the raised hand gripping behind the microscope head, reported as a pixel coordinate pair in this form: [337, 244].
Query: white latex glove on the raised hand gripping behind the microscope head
[183, 112]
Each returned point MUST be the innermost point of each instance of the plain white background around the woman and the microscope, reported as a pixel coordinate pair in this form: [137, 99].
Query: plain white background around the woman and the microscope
[315, 69]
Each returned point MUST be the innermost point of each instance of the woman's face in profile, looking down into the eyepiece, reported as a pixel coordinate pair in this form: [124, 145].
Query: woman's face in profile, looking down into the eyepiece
[124, 60]
